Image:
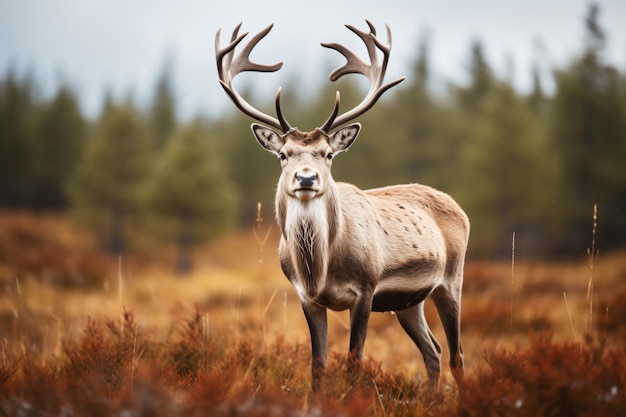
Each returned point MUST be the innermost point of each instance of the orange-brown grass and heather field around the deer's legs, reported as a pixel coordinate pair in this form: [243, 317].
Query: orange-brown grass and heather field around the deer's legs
[83, 334]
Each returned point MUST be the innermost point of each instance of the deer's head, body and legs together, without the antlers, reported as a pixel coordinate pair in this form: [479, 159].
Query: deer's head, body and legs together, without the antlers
[374, 250]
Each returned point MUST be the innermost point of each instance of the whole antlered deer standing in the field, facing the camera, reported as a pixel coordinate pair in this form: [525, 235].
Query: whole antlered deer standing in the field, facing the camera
[342, 248]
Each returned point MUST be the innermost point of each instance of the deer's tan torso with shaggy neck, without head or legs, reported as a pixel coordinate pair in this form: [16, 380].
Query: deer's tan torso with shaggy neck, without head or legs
[395, 244]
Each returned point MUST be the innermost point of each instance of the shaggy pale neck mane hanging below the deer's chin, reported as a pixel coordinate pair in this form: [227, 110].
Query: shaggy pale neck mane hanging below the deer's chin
[309, 230]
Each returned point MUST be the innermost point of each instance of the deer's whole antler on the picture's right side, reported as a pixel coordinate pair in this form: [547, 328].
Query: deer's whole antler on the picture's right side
[375, 72]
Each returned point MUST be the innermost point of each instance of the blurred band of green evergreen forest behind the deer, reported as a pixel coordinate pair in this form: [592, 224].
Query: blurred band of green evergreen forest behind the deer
[533, 164]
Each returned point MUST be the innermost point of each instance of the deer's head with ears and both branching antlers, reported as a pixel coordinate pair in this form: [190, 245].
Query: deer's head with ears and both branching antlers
[306, 158]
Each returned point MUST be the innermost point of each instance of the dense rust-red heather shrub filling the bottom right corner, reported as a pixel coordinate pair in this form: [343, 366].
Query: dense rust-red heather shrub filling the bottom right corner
[548, 379]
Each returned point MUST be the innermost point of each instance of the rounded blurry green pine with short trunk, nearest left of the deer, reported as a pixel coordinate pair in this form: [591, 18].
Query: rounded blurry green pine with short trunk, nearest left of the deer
[191, 192]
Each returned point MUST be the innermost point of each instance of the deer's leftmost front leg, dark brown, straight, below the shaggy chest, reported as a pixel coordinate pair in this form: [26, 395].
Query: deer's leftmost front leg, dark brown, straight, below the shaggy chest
[318, 327]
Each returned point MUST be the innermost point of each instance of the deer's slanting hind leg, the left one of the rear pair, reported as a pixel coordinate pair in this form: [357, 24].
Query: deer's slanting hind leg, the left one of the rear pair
[414, 324]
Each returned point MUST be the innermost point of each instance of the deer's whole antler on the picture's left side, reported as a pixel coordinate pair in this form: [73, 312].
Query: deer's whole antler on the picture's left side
[228, 66]
